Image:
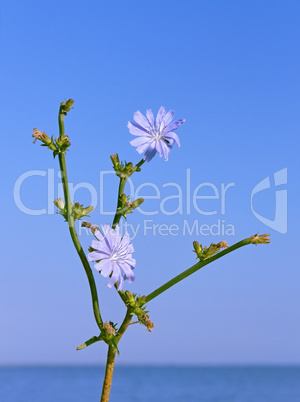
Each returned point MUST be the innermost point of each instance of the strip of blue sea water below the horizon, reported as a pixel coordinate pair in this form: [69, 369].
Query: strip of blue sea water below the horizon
[145, 384]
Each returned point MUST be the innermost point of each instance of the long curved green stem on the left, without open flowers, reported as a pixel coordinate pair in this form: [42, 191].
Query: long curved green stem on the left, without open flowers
[78, 247]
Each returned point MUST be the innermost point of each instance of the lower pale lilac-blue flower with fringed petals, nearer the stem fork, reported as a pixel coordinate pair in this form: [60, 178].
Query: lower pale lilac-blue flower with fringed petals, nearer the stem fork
[113, 255]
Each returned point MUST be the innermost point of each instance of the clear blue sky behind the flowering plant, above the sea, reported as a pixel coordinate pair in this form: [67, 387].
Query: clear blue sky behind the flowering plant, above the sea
[231, 69]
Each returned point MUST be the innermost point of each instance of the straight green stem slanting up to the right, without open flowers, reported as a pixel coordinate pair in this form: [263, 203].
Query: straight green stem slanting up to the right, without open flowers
[195, 268]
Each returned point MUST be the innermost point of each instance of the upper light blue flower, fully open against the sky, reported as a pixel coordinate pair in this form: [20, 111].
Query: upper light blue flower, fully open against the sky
[154, 135]
